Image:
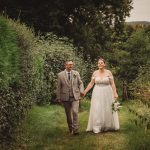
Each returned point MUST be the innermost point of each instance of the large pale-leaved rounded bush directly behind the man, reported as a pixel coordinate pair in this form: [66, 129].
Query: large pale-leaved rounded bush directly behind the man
[57, 51]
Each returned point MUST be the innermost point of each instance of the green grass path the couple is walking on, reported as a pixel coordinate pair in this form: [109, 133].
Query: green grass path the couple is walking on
[45, 129]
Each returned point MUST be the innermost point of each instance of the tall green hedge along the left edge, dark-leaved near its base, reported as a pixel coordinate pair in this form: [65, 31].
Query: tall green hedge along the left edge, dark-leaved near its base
[16, 79]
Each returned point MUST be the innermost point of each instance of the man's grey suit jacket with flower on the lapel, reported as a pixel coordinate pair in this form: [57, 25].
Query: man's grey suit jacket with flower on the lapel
[62, 91]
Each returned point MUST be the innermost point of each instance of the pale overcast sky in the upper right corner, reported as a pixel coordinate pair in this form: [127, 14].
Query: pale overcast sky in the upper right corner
[140, 11]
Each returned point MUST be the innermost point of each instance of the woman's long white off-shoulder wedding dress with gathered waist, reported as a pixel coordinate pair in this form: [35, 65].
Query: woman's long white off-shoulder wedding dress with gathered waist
[101, 117]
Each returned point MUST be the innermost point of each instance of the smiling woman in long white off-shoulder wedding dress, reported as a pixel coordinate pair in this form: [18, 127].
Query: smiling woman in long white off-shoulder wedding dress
[102, 117]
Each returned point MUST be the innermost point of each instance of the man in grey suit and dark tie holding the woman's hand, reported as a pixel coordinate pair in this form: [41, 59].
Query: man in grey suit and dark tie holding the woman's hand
[69, 89]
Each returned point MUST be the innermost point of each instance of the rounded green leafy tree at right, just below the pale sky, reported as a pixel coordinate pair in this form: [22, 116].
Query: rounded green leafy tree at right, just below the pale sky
[136, 52]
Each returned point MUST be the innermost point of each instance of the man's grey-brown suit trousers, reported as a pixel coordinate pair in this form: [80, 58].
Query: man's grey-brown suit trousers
[72, 109]
